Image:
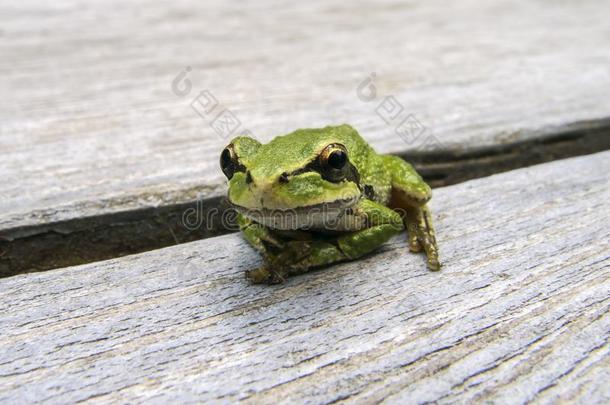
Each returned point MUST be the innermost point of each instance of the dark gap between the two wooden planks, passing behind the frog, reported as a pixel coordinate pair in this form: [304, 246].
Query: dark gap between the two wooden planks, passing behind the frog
[106, 236]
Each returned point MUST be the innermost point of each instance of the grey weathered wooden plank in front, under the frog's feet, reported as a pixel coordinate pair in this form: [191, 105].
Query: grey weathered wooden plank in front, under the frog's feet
[519, 312]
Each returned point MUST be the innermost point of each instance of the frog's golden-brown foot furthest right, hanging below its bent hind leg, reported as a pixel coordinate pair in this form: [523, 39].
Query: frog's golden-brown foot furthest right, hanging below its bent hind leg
[421, 235]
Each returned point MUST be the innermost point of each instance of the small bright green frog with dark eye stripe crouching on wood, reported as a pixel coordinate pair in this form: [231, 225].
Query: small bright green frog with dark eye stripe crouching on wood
[320, 196]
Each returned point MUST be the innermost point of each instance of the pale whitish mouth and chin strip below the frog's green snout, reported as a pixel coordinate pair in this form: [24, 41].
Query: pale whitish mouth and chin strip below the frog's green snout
[333, 215]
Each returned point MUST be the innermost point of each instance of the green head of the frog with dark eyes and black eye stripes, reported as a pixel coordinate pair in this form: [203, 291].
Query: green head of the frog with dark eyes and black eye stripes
[306, 170]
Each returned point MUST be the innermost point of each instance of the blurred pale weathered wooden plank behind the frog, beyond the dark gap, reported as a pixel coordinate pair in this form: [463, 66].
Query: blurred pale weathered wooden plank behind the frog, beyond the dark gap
[90, 126]
